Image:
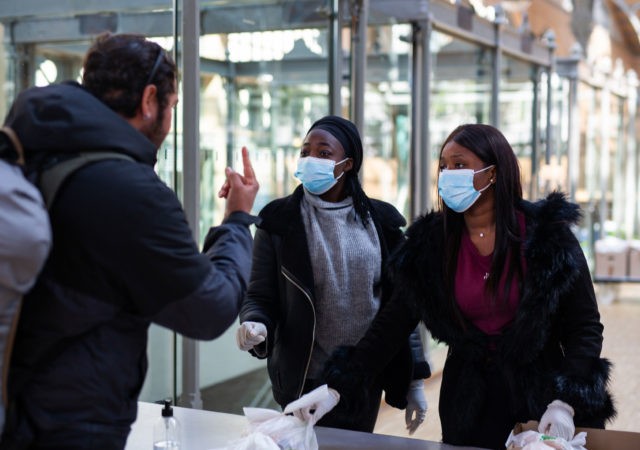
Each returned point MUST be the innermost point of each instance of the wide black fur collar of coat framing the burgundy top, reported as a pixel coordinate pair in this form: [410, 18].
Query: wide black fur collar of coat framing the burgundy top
[553, 257]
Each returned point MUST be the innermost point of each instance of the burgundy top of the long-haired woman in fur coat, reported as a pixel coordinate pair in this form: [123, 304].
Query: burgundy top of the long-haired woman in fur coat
[490, 316]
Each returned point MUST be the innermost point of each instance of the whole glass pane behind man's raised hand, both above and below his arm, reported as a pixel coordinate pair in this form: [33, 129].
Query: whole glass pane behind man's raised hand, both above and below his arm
[261, 89]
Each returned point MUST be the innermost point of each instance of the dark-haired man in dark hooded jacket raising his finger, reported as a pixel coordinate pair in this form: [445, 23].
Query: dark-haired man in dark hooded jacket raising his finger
[123, 254]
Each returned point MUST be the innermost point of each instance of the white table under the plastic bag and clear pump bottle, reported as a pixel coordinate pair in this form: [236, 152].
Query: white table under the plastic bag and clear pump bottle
[204, 430]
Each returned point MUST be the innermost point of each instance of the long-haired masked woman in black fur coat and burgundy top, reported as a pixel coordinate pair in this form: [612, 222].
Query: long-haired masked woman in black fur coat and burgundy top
[504, 283]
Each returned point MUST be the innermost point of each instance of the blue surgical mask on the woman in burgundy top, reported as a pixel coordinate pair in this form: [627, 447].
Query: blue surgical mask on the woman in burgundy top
[456, 188]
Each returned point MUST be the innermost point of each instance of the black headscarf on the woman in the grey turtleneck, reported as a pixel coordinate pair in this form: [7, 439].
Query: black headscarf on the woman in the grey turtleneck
[347, 134]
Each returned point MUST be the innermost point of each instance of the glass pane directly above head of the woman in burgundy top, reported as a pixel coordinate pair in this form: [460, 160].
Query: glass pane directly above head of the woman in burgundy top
[461, 91]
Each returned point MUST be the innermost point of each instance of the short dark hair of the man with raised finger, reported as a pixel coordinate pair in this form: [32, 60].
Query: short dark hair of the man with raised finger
[118, 67]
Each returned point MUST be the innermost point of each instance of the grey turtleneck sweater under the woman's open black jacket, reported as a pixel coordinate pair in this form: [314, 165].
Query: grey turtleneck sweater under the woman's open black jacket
[346, 262]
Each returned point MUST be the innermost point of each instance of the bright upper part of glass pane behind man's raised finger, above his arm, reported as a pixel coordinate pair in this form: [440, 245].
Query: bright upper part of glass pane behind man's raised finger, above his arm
[272, 86]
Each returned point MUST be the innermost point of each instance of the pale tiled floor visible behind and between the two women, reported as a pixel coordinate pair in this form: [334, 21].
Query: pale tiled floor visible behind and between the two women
[621, 320]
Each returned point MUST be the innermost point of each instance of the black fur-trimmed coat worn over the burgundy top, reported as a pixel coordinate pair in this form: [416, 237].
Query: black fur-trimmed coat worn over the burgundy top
[550, 351]
